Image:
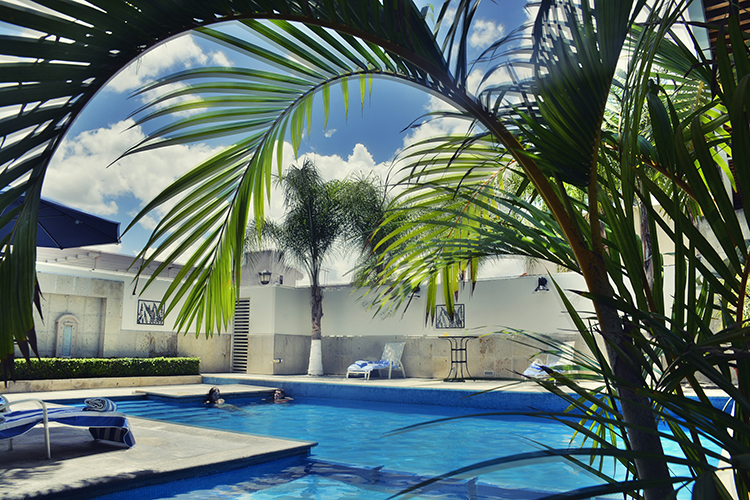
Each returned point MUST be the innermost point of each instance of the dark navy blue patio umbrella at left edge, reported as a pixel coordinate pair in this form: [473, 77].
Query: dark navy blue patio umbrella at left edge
[61, 227]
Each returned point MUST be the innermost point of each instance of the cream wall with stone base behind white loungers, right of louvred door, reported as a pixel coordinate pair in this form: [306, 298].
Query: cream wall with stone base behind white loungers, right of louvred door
[280, 326]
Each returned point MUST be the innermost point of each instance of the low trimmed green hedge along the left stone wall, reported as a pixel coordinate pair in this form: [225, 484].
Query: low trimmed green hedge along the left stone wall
[60, 368]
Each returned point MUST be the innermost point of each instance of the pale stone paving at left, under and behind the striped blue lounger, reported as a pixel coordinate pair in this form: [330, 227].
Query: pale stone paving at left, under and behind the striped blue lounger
[81, 467]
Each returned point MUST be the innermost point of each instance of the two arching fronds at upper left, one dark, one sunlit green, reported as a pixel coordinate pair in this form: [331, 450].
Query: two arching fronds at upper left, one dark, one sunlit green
[57, 56]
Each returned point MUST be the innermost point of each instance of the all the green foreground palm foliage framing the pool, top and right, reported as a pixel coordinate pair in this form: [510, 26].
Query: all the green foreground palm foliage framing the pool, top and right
[591, 150]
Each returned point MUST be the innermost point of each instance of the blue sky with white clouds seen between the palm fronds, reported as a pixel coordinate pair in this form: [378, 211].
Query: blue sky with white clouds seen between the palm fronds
[365, 141]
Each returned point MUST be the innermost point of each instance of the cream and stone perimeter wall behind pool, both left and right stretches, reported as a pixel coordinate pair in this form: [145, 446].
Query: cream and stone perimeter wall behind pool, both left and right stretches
[279, 326]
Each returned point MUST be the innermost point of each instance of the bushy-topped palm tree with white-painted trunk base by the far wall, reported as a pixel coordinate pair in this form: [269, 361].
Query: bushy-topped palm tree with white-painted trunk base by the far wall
[319, 217]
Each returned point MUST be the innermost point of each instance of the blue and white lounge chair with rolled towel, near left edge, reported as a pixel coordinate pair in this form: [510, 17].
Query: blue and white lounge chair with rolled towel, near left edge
[99, 416]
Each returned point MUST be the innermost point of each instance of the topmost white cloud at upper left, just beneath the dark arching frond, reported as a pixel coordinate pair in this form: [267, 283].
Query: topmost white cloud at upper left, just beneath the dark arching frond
[176, 54]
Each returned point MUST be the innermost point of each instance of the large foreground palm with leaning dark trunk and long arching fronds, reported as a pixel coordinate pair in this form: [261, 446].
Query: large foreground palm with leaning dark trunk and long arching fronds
[554, 136]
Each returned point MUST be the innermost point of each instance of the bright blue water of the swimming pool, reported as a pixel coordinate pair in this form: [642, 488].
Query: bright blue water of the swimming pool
[357, 457]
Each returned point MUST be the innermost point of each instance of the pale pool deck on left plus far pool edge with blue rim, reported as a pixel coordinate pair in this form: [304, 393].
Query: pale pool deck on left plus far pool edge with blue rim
[82, 468]
